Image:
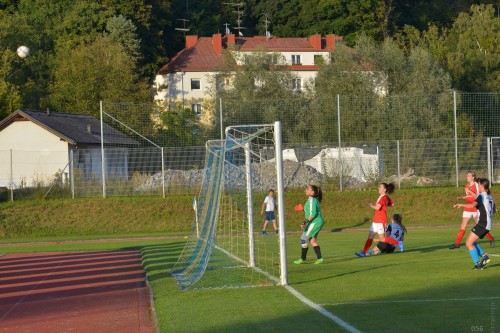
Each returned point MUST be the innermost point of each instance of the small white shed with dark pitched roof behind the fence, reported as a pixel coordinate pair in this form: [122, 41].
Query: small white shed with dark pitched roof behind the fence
[36, 147]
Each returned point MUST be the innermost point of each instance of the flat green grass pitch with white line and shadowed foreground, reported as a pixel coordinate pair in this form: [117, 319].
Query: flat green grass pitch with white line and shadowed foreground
[429, 288]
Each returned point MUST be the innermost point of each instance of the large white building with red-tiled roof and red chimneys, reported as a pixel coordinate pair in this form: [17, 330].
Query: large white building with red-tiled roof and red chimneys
[186, 77]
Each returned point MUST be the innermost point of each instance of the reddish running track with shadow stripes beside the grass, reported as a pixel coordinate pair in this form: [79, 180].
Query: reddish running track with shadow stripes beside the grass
[74, 292]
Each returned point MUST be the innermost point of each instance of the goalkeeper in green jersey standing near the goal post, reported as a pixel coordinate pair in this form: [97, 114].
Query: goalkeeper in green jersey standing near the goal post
[312, 224]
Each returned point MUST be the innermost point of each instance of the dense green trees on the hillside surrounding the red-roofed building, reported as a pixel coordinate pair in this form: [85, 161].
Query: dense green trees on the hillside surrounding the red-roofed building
[85, 51]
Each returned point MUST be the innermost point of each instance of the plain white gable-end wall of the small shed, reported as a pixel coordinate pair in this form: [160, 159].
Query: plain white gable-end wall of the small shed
[36, 156]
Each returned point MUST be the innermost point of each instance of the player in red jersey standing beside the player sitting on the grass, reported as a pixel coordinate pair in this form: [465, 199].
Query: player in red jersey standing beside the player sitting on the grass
[380, 219]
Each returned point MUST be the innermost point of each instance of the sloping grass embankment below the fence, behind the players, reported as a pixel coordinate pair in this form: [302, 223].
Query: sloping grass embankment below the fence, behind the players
[153, 216]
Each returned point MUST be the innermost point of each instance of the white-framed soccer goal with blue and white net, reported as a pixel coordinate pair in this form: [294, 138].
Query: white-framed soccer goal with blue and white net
[226, 247]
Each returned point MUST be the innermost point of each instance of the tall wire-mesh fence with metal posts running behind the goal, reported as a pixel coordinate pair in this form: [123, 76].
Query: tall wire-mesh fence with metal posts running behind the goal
[342, 142]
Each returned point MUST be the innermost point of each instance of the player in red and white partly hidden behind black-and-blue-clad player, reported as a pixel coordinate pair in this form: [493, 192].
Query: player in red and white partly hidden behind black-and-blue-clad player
[471, 192]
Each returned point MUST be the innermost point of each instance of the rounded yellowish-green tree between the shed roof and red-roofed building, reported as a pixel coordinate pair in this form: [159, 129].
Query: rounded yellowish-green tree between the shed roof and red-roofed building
[89, 73]
